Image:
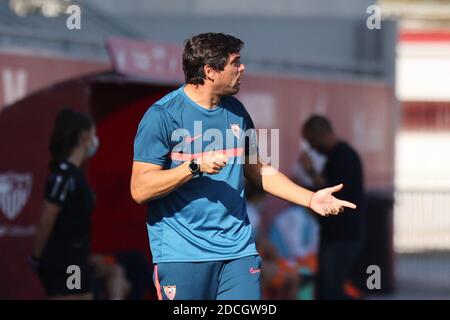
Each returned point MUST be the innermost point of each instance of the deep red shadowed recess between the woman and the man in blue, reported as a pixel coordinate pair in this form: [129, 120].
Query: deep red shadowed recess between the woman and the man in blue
[118, 222]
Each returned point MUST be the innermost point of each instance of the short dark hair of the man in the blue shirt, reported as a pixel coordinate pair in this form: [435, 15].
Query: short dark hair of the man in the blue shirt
[211, 49]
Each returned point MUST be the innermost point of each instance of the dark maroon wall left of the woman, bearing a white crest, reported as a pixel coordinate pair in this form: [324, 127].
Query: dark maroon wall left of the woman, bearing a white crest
[24, 133]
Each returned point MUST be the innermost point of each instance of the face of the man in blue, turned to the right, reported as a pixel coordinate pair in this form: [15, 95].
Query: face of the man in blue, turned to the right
[227, 82]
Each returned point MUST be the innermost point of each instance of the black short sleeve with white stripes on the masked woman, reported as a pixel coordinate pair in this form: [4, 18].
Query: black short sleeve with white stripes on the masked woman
[58, 187]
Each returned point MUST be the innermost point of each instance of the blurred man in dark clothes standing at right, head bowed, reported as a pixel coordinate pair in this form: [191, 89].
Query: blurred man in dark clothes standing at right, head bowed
[340, 236]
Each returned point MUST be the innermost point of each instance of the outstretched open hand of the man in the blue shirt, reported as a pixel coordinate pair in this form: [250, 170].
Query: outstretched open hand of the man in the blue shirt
[323, 202]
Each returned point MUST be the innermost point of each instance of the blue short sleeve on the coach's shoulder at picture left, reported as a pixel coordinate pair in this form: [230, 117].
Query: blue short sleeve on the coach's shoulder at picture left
[152, 141]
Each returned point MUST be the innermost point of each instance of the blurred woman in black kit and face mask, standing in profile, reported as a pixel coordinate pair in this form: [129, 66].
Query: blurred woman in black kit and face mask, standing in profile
[62, 244]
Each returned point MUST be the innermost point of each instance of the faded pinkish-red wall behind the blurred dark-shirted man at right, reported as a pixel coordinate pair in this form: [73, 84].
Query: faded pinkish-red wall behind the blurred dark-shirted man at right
[362, 113]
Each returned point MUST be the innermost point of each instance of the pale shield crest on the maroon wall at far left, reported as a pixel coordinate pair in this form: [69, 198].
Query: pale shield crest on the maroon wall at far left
[15, 190]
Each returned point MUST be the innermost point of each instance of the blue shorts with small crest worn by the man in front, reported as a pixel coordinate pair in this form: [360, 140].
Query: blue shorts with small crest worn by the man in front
[237, 279]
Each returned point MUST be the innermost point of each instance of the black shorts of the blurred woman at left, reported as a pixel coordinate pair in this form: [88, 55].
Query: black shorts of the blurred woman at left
[61, 281]
